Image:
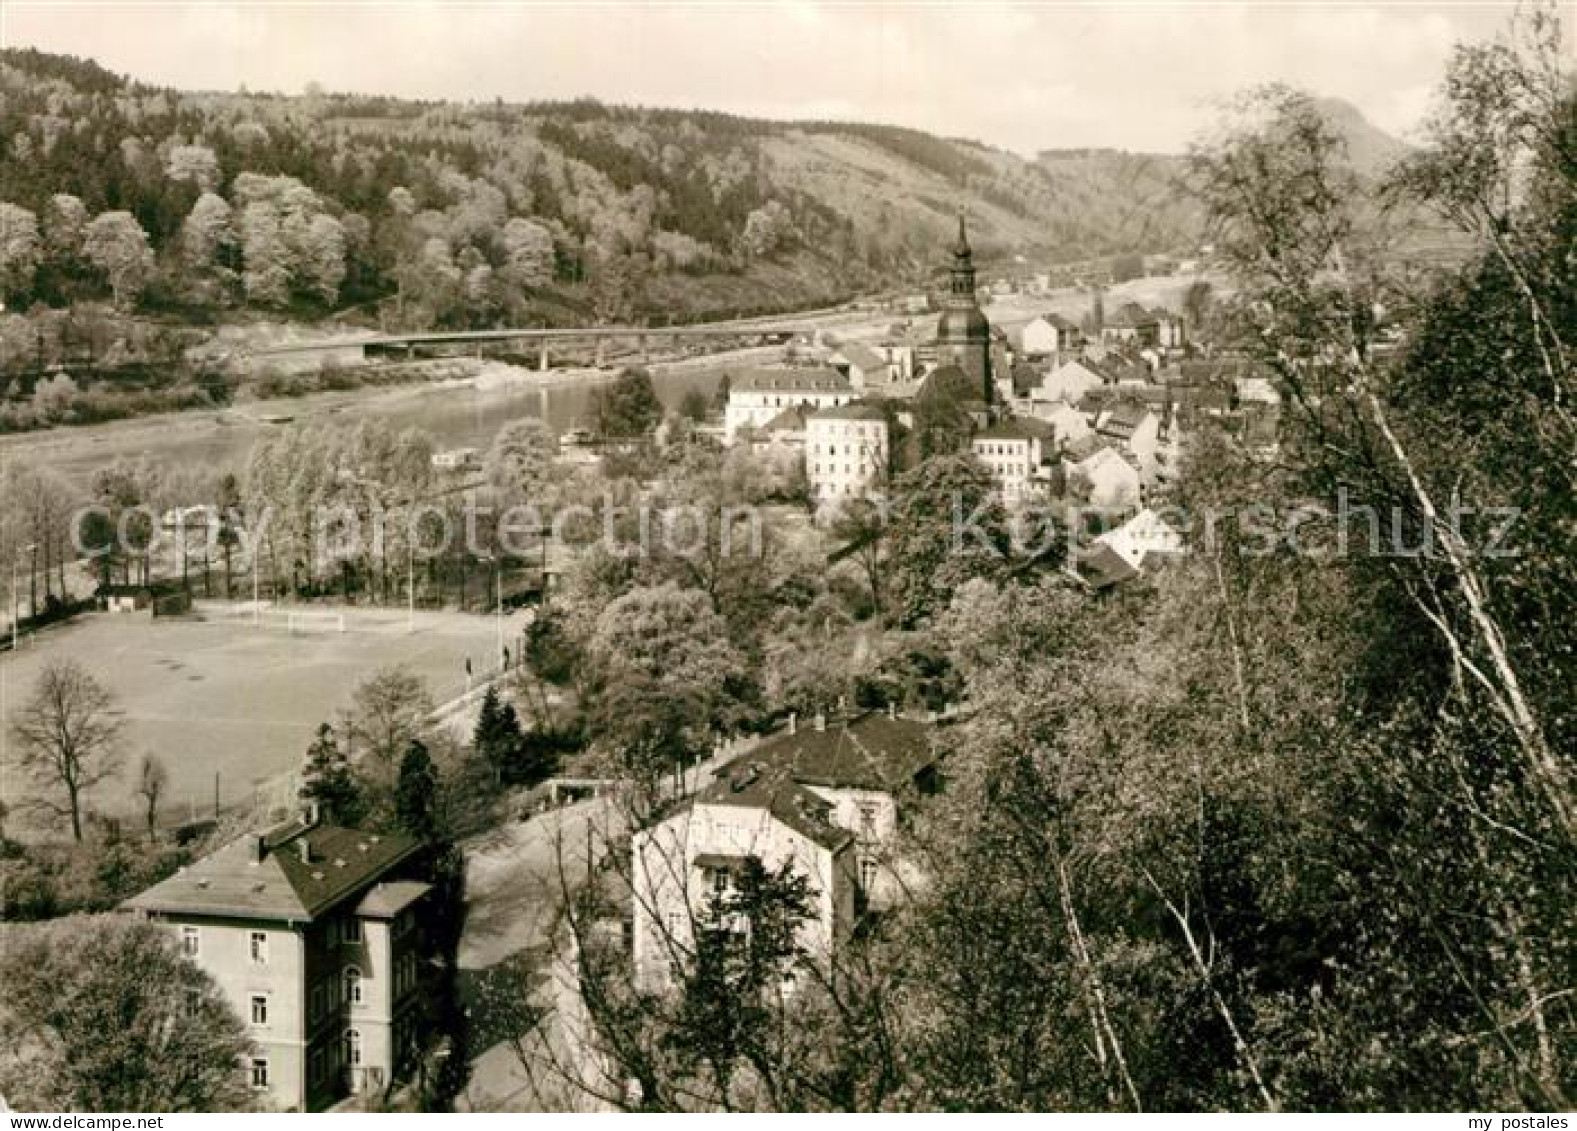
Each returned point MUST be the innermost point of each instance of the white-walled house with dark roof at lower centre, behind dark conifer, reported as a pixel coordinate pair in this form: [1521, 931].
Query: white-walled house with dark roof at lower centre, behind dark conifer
[824, 799]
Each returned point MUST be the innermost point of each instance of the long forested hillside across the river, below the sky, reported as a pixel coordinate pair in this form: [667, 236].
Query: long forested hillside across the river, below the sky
[474, 214]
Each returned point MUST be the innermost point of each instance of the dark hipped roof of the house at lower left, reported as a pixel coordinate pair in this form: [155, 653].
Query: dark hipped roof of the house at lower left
[266, 878]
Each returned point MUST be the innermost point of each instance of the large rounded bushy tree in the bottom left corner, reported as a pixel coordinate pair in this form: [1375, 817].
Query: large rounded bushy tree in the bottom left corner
[106, 1015]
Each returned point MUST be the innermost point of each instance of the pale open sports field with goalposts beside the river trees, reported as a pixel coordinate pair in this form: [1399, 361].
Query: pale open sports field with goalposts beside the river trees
[225, 698]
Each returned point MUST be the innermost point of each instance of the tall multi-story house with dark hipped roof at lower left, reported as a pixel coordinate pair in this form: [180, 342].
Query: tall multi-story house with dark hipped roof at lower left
[311, 933]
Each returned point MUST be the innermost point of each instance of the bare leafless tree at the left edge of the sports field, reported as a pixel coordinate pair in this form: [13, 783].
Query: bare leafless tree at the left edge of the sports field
[67, 737]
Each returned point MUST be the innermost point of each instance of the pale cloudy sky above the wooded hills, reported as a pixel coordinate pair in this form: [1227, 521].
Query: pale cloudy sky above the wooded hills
[1141, 77]
